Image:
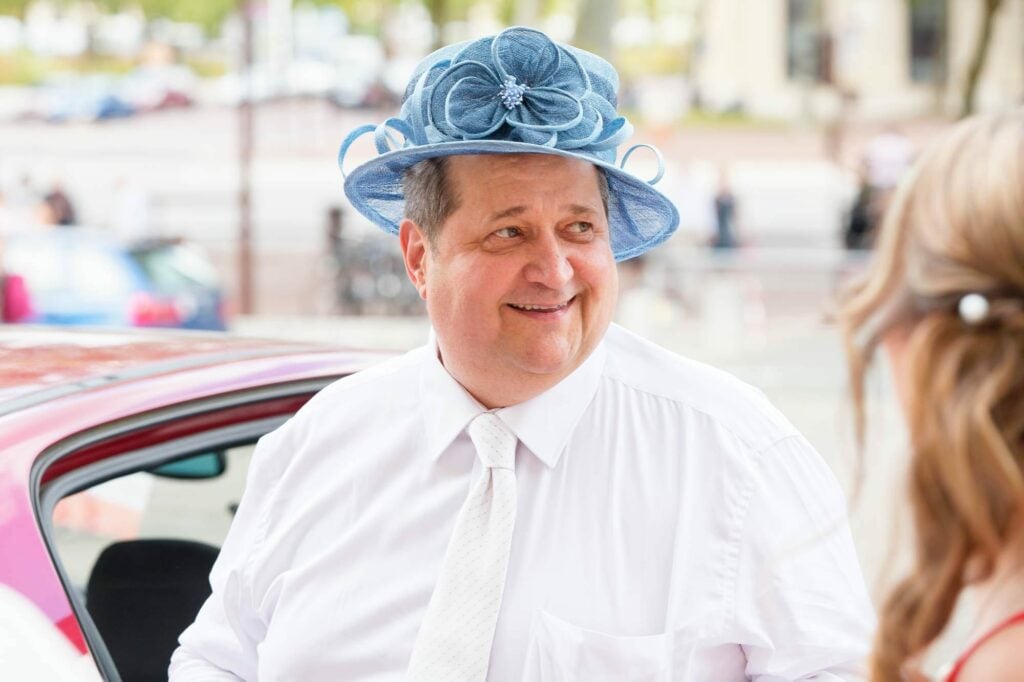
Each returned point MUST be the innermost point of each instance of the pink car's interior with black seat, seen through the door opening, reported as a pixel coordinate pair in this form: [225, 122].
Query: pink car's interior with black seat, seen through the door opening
[139, 549]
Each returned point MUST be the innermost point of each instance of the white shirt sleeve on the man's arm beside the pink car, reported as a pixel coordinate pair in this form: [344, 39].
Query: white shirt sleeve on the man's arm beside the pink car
[223, 643]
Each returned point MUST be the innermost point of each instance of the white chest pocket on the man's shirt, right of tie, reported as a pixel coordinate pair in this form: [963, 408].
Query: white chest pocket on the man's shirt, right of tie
[560, 652]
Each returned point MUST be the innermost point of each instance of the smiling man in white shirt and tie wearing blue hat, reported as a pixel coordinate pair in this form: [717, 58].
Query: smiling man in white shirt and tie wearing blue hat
[536, 495]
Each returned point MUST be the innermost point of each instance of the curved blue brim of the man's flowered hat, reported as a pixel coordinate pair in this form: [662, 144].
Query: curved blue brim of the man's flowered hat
[641, 218]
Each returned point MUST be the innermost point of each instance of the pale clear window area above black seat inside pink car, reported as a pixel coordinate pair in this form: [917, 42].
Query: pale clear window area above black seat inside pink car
[142, 505]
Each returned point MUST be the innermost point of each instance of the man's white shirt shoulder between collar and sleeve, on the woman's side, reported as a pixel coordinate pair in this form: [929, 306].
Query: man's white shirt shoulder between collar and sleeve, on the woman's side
[696, 389]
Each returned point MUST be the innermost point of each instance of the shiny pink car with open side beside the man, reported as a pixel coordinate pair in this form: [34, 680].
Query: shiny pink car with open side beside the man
[122, 457]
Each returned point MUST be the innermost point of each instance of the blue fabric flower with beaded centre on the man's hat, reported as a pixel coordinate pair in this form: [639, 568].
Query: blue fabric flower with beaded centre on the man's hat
[522, 87]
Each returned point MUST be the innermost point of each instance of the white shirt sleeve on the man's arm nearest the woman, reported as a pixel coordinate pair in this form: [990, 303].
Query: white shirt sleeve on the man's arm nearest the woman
[801, 605]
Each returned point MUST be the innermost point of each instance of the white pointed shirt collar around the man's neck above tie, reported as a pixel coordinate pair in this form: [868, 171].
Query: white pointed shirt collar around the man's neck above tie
[543, 424]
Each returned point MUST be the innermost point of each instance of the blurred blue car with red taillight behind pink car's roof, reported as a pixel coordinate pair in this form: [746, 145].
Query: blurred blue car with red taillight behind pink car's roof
[76, 276]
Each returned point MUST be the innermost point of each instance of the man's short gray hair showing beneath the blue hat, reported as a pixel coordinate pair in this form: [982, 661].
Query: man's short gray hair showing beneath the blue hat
[431, 199]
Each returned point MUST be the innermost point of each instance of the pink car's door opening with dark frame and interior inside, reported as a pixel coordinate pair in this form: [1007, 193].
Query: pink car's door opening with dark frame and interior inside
[134, 514]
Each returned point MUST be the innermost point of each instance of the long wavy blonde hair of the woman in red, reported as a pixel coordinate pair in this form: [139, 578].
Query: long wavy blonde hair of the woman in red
[956, 227]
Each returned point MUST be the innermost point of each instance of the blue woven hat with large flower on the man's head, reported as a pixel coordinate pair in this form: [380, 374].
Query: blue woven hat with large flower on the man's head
[518, 93]
